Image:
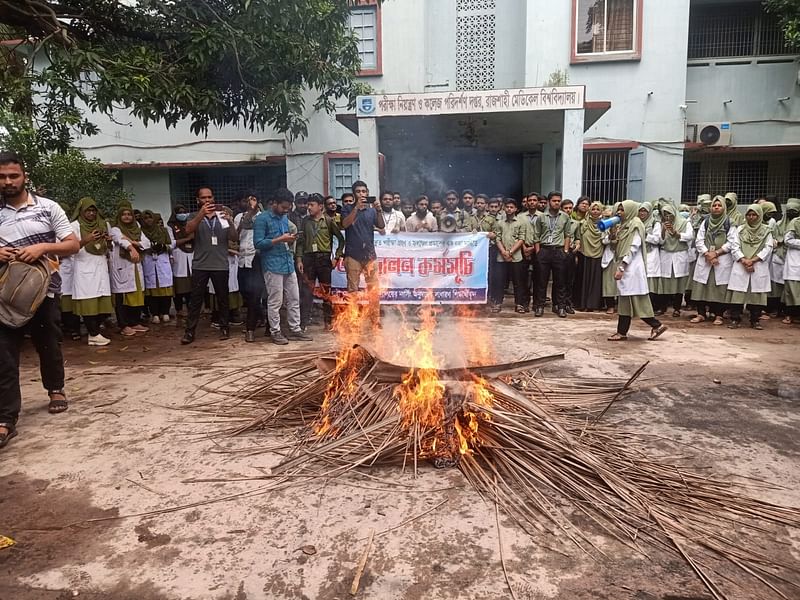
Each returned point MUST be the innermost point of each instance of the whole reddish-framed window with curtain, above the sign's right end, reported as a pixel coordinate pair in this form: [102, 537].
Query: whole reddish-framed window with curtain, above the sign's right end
[606, 30]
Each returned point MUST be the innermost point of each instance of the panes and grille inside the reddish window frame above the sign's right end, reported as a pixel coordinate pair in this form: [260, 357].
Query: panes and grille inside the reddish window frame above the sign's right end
[604, 26]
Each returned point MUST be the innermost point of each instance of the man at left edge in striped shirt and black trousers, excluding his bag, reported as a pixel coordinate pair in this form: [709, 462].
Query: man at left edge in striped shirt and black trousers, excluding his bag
[31, 228]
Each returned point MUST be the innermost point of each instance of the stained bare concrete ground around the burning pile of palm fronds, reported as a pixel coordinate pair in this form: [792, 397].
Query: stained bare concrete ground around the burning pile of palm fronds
[730, 398]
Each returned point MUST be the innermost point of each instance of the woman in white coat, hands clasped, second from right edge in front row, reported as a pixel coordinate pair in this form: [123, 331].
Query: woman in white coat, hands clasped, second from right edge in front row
[716, 239]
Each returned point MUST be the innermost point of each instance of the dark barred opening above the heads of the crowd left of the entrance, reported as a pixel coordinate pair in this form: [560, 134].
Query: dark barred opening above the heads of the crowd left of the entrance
[225, 182]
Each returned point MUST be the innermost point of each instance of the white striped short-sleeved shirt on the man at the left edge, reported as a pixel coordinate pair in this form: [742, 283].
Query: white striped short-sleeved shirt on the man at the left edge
[39, 221]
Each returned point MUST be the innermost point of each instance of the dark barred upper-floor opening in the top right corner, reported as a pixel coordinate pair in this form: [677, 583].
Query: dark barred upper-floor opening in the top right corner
[741, 30]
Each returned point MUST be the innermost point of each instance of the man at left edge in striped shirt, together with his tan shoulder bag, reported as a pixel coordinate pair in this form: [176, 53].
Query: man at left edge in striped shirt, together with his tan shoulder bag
[32, 230]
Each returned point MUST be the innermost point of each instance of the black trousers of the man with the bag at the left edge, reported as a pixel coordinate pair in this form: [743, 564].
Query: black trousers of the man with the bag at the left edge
[45, 331]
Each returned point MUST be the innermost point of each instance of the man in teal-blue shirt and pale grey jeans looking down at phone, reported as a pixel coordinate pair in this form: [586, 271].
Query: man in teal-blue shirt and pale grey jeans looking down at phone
[274, 240]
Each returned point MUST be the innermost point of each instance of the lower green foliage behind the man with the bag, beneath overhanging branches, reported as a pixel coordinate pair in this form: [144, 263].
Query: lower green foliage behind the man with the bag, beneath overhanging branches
[65, 176]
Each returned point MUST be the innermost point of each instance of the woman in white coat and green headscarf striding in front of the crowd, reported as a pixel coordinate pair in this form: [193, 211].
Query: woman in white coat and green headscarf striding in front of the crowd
[631, 274]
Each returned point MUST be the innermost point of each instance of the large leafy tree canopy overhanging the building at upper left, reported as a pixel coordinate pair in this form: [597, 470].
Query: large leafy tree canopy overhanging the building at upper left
[214, 62]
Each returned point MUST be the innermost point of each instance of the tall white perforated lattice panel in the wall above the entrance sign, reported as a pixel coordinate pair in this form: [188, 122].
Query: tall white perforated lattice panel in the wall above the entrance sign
[475, 44]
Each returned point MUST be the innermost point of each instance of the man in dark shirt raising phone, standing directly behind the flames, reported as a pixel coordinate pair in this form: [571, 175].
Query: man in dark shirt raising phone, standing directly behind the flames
[359, 221]
